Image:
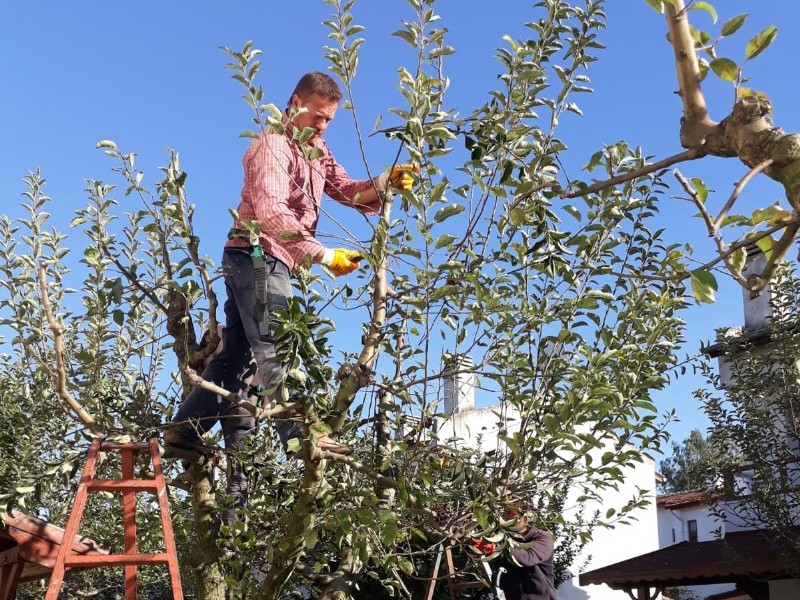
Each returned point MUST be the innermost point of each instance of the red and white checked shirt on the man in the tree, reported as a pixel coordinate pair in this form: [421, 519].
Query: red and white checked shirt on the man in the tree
[283, 191]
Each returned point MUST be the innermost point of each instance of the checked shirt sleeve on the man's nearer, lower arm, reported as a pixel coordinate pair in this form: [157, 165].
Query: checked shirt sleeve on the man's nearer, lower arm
[267, 180]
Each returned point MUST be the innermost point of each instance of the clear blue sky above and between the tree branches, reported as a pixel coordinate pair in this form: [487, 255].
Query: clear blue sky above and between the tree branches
[150, 75]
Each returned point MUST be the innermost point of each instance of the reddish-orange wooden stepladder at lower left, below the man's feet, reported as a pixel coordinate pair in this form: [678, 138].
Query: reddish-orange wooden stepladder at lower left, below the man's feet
[128, 486]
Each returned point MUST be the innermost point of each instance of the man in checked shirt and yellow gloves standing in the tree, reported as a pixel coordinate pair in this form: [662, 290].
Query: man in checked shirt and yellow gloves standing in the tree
[285, 175]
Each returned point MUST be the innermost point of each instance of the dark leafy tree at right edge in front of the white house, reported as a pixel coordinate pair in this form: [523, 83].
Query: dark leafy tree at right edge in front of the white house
[753, 408]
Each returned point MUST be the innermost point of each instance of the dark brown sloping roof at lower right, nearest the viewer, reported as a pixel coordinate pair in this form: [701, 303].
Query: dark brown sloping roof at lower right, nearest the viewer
[740, 553]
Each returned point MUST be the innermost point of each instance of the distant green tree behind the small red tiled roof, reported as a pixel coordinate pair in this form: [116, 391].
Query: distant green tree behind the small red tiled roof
[689, 467]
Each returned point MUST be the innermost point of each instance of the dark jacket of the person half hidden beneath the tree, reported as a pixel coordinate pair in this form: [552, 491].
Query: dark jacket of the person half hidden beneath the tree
[533, 580]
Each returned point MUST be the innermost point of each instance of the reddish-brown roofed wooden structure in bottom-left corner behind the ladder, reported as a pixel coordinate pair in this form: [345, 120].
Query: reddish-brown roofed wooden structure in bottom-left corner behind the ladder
[28, 548]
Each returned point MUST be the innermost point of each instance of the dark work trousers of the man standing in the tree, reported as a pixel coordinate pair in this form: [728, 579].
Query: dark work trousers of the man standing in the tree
[249, 332]
